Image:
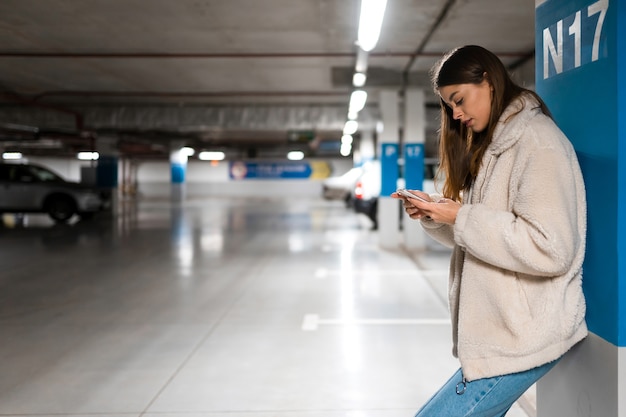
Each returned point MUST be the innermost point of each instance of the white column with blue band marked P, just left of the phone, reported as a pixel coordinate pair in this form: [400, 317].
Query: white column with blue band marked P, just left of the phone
[389, 208]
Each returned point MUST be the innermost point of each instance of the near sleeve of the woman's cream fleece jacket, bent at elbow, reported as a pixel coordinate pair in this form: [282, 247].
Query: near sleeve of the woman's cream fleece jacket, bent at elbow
[540, 231]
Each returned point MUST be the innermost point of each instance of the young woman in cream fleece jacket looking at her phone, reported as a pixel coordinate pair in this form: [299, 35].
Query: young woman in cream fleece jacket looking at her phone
[514, 211]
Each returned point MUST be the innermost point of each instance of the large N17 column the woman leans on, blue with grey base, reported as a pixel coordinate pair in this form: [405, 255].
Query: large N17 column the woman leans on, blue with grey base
[581, 74]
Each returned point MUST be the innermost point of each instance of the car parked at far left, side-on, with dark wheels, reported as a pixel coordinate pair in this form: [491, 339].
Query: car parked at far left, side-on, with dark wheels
[31, 188]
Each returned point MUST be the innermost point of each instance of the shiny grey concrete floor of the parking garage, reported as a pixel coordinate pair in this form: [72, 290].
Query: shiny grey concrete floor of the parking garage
[219, 307]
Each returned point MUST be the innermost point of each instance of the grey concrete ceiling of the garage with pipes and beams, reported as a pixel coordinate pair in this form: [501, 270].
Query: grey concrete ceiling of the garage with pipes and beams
[240, 75]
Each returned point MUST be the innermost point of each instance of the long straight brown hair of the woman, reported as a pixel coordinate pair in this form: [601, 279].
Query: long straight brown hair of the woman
[460, 149]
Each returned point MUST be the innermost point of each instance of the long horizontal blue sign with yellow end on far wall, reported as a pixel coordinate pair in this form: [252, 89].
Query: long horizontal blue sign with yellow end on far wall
[251, 170]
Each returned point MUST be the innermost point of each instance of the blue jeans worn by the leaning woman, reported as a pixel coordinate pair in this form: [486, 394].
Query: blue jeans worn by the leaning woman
[488, 397]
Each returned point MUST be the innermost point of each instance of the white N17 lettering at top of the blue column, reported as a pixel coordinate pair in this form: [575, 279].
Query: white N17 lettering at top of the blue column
[580, 45]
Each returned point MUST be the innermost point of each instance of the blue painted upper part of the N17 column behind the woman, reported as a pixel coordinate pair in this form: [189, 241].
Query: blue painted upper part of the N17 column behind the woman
[576, 74]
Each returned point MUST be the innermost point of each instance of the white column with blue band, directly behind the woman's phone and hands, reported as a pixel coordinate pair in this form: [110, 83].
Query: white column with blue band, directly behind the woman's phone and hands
[413, 152]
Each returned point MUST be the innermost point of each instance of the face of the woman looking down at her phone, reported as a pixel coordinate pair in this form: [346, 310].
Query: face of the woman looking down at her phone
[470, 103]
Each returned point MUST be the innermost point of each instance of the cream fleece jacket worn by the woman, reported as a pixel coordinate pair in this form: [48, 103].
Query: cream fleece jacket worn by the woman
[515, 285]
